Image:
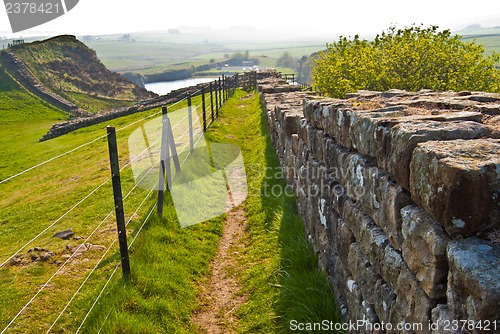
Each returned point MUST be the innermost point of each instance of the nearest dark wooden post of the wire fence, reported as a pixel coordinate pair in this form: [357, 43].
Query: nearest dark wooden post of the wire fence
[118, 199]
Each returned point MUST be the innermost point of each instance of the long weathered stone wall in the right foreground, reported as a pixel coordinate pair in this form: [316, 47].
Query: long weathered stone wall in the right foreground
[400, 195]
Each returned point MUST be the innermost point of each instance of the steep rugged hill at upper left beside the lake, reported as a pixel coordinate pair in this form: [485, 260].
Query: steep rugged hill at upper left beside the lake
[71, 76]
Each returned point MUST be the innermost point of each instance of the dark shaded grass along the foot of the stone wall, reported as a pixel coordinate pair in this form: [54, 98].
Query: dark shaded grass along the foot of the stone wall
[305, 296]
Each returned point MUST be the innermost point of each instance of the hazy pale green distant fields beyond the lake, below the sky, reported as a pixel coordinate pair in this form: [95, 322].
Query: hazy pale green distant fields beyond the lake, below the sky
[158, 52]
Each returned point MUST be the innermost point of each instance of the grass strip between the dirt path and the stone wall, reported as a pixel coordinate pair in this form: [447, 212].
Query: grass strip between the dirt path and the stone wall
[280, 273]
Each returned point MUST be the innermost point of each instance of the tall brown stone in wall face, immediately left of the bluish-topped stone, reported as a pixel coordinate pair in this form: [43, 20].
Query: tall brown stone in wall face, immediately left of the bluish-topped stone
[424, 250]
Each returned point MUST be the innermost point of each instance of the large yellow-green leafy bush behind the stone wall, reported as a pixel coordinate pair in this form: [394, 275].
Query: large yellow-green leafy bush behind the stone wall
[411, 58]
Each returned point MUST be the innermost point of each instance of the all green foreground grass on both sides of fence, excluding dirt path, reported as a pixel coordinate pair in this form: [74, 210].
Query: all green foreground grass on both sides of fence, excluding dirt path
[169, 263]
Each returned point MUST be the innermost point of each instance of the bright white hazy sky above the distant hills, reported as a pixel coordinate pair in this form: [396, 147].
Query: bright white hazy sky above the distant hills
[311, 17]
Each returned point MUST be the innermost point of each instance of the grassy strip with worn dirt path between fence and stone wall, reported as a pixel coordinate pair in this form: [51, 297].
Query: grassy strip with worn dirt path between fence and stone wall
[270, 265]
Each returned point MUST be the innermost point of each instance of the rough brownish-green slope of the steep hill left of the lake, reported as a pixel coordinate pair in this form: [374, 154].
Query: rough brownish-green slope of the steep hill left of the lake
[68, 68]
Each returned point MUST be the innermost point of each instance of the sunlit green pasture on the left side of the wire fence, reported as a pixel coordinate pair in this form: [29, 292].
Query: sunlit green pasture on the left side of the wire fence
[33, 201]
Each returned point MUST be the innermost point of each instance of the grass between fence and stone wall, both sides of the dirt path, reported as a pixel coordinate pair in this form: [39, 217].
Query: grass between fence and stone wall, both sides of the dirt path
[278, 268]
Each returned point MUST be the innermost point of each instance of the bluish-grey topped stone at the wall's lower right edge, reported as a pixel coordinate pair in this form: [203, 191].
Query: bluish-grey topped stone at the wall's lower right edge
[473, 283]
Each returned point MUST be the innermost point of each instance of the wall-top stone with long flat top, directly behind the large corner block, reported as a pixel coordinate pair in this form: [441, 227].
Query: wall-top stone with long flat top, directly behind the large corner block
[394, 151]
